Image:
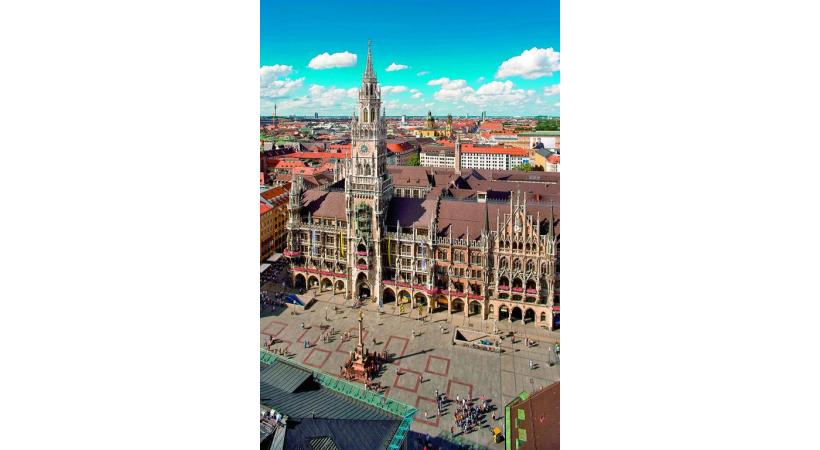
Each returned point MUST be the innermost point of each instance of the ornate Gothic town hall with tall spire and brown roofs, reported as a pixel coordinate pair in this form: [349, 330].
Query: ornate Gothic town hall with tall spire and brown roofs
[481, 243]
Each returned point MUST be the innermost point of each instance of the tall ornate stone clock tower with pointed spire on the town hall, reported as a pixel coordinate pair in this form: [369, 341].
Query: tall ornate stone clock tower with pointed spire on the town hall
[368, 189]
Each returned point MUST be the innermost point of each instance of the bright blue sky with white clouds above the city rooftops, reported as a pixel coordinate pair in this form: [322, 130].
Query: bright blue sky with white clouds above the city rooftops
[461, 57]
